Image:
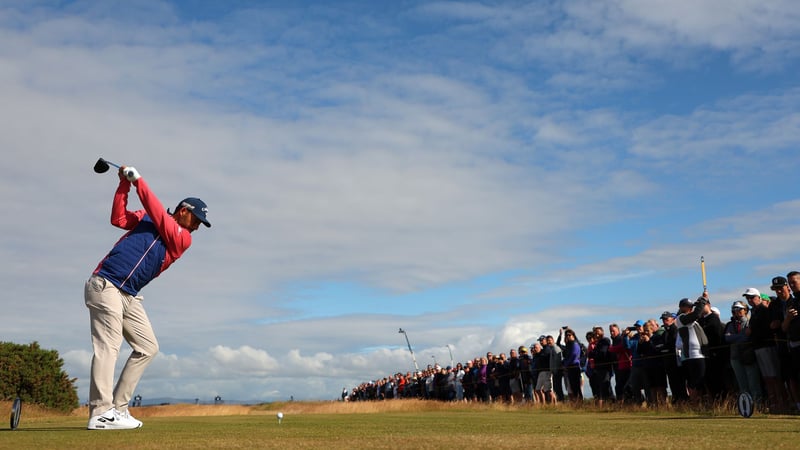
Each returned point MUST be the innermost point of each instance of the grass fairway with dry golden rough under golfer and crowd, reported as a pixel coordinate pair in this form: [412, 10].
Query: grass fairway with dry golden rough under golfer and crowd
[405, 424]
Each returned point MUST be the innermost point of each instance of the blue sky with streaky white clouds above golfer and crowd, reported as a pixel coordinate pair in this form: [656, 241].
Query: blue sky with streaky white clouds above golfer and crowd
[475, 173]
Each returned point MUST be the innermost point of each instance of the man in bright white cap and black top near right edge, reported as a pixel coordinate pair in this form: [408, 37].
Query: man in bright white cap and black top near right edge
[762, 339]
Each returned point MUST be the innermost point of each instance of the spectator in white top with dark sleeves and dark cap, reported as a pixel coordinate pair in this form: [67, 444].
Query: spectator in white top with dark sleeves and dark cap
[689, 346]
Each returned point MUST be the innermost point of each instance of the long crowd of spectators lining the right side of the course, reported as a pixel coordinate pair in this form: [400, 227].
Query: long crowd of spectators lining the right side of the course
[692, 357]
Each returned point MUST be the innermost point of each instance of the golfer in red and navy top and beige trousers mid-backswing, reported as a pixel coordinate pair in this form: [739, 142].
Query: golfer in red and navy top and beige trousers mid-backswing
[155, 239]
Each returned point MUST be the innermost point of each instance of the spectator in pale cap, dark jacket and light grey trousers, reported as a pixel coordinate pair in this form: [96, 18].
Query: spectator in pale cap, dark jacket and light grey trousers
[743, 356]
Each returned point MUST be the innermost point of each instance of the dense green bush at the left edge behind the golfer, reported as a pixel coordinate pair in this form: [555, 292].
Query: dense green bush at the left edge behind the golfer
[35, 375]
